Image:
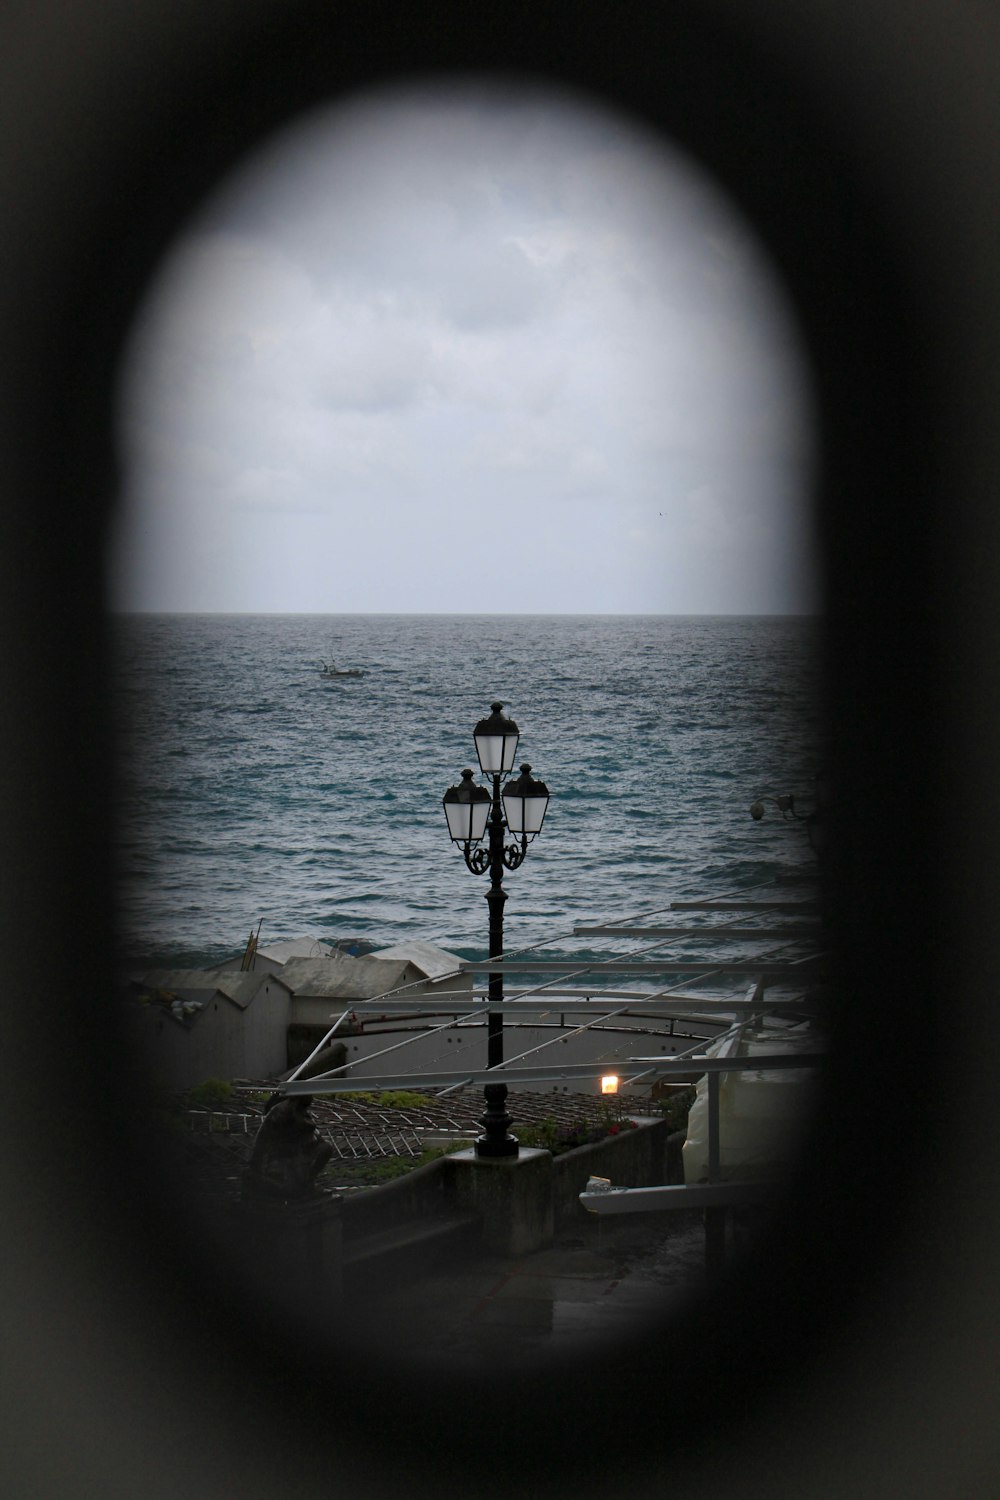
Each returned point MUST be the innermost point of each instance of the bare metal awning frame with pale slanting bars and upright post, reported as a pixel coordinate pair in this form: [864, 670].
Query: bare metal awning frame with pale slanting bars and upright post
[576, 989]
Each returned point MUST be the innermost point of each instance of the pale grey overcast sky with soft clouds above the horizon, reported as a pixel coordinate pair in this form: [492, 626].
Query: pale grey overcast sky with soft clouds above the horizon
[463, 350]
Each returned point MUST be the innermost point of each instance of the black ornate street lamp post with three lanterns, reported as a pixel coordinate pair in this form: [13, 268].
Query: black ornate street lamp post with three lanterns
[475, 814]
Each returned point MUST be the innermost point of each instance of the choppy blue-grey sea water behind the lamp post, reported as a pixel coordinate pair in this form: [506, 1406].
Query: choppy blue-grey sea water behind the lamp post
[256, 791]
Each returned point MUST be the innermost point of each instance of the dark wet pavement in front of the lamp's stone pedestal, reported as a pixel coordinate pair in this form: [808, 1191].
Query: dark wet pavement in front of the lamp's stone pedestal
[597, 1286]
